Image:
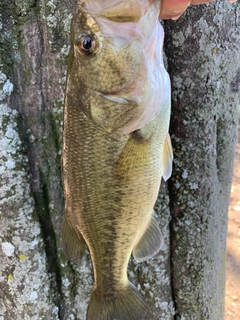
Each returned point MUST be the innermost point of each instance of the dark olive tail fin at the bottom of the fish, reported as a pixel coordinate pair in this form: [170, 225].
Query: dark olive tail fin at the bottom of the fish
[127, 305]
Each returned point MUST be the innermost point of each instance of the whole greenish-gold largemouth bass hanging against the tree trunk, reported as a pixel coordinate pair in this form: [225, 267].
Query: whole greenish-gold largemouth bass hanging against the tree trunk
[116, 147]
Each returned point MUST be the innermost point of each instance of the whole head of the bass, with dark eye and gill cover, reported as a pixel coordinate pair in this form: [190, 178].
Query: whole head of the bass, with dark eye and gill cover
[116, 63]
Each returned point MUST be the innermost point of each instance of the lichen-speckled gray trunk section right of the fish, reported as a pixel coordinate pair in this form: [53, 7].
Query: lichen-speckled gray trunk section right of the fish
[203, 57]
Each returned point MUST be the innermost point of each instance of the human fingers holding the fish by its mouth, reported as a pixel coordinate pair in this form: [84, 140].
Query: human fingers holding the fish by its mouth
[173, 9]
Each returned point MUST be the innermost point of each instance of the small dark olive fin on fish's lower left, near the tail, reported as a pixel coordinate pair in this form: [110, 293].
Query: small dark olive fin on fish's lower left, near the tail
[72, 243]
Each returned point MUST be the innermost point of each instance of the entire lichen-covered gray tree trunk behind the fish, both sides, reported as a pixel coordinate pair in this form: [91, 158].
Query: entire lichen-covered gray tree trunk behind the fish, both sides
[186, 280]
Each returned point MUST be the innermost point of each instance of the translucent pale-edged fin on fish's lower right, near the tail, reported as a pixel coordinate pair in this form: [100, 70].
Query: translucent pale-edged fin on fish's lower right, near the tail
[150, 243]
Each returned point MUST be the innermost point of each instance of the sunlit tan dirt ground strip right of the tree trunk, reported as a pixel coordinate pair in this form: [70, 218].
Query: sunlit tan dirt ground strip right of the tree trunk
[232, 297]
